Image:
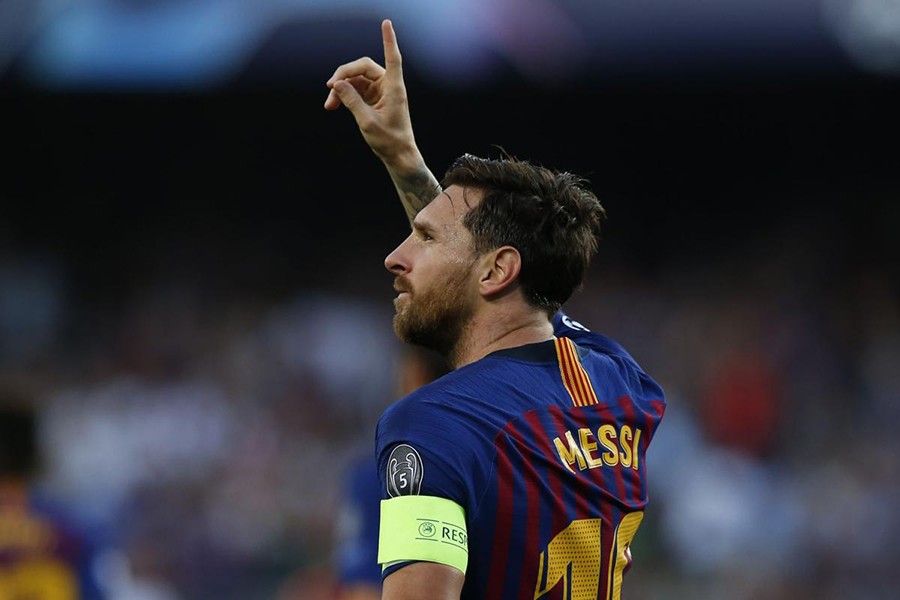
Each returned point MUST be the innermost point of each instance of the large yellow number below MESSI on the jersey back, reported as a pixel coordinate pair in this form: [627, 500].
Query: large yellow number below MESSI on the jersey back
[573, 557]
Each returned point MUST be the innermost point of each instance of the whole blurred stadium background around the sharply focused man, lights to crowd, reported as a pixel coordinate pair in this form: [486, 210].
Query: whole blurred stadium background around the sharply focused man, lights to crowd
[191, 279]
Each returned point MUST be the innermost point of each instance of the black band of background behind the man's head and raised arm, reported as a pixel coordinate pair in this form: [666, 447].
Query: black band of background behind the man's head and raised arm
[104, 178]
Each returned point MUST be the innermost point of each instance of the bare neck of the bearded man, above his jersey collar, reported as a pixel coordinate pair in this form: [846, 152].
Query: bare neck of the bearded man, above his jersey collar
[495, 330]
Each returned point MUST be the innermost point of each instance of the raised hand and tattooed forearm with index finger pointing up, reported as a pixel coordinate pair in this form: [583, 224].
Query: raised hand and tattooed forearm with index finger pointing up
[376, 96]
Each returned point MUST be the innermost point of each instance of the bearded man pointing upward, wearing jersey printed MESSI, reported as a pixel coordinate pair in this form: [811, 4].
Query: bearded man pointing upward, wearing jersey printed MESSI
[521, 473]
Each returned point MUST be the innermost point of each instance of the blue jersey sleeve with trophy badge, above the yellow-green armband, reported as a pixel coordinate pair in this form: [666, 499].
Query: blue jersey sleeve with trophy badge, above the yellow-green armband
[425, 449]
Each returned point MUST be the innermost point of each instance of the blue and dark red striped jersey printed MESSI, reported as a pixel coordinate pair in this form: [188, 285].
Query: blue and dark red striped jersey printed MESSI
[544, 447]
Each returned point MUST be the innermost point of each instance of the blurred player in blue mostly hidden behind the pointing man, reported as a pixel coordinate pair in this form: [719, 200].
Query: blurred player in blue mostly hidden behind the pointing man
[356, 566]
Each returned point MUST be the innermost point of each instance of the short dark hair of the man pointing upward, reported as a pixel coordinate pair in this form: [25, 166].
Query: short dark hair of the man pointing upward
[550, 217]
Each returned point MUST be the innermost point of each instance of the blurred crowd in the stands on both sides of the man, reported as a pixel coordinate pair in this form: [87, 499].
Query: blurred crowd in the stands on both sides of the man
[204, 438]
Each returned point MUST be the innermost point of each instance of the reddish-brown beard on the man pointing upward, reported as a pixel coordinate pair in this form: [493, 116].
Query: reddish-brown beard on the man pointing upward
[437, 317]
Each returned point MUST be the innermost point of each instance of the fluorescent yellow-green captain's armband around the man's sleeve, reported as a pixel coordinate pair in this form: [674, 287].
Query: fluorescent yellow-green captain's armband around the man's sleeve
[423, 528]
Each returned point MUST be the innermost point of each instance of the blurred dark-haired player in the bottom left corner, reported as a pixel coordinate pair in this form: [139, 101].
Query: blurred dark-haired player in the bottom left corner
[43, 554]
